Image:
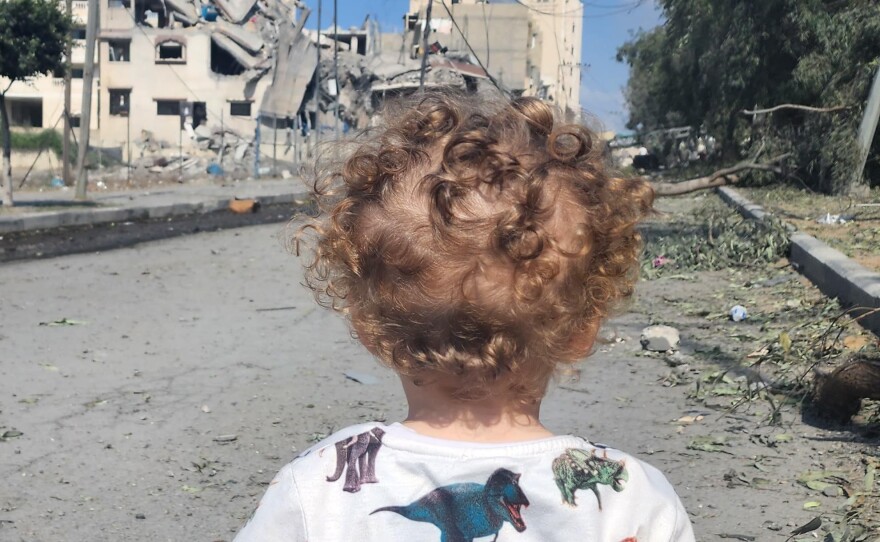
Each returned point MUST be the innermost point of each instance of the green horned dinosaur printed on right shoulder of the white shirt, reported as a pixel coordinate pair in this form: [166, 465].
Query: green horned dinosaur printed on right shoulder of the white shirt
[578, 469]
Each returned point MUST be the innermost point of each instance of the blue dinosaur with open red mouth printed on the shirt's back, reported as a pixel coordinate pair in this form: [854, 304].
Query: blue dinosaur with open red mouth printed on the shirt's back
[466, 511]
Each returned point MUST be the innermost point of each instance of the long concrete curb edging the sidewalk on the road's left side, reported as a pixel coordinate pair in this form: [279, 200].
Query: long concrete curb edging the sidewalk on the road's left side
[105, 215]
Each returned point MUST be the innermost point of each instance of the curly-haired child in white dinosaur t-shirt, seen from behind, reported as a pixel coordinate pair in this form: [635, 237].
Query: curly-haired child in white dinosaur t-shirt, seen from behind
[475, 248]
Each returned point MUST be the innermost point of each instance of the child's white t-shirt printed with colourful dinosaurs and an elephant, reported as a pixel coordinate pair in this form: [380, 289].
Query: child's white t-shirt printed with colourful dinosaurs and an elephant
[375, 482]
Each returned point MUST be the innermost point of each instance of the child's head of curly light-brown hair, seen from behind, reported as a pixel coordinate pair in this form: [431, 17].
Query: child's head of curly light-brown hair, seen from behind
[477, 240]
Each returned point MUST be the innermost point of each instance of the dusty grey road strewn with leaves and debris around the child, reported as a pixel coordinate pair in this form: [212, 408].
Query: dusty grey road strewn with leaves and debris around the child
[151, 392]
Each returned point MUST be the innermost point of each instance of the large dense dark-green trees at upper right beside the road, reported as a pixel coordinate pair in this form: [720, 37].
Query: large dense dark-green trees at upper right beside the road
[712, 59]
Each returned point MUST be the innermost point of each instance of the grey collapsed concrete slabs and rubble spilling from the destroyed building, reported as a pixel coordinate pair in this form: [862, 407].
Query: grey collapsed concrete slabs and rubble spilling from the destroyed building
[267, 38]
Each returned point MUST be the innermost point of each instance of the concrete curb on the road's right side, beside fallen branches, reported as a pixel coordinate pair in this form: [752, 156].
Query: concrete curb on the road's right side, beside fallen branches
[835, 274]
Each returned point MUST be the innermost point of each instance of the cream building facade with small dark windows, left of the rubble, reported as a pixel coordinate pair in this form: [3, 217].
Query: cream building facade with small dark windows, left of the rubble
[162, 71]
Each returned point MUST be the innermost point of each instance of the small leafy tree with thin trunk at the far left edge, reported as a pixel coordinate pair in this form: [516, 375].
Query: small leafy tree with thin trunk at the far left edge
[32, 38]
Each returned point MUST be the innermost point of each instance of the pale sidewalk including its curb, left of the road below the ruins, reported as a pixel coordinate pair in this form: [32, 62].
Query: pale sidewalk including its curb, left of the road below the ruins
[57, 208]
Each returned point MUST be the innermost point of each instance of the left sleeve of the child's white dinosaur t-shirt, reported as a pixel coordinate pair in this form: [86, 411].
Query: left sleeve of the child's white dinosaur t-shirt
[279, 516]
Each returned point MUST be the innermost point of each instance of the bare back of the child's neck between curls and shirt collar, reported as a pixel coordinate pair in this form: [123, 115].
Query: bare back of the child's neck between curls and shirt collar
[495, 419]
